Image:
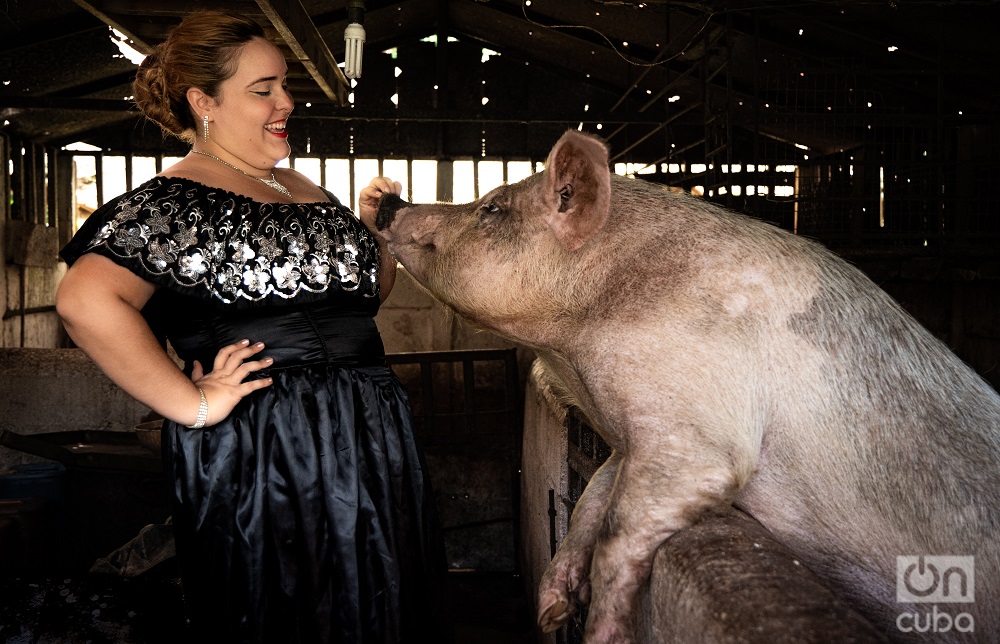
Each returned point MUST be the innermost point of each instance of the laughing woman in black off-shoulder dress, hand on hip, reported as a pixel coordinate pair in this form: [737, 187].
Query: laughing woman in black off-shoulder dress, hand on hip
[301, 505]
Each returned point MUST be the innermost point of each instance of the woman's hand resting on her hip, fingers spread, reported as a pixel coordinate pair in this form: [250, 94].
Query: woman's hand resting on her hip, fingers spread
[224, 385]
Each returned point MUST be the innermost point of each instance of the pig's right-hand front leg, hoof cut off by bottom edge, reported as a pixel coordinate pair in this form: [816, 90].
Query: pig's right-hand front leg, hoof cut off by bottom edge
[659, 490]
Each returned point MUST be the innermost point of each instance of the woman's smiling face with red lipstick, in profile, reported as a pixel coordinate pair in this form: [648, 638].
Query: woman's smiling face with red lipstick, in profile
[249, 117]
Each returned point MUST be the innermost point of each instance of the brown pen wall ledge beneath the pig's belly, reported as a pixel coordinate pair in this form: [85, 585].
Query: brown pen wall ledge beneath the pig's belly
[727, 580]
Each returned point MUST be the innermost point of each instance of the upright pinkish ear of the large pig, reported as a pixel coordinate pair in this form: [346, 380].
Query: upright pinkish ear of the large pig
[577, 189]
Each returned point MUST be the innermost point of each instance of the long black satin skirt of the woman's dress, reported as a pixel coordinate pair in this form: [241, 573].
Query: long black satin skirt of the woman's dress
[306, 516]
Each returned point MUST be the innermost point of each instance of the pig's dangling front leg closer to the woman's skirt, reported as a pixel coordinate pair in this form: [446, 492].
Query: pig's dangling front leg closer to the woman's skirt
[566, 580]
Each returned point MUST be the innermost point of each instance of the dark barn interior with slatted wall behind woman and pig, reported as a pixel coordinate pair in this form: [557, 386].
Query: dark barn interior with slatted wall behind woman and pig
[870, 126]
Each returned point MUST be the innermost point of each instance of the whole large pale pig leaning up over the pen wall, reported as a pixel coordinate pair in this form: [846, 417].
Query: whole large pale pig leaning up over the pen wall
[726, 362]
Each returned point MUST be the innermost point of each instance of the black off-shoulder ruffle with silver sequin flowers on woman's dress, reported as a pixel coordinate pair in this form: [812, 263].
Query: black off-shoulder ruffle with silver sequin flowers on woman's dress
[237, 248]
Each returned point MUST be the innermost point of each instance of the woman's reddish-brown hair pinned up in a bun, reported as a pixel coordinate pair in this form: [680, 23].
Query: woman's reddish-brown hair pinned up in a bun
[200, 52]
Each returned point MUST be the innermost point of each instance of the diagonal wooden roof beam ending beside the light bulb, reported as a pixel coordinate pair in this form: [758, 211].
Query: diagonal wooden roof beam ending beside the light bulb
[292, 21]
